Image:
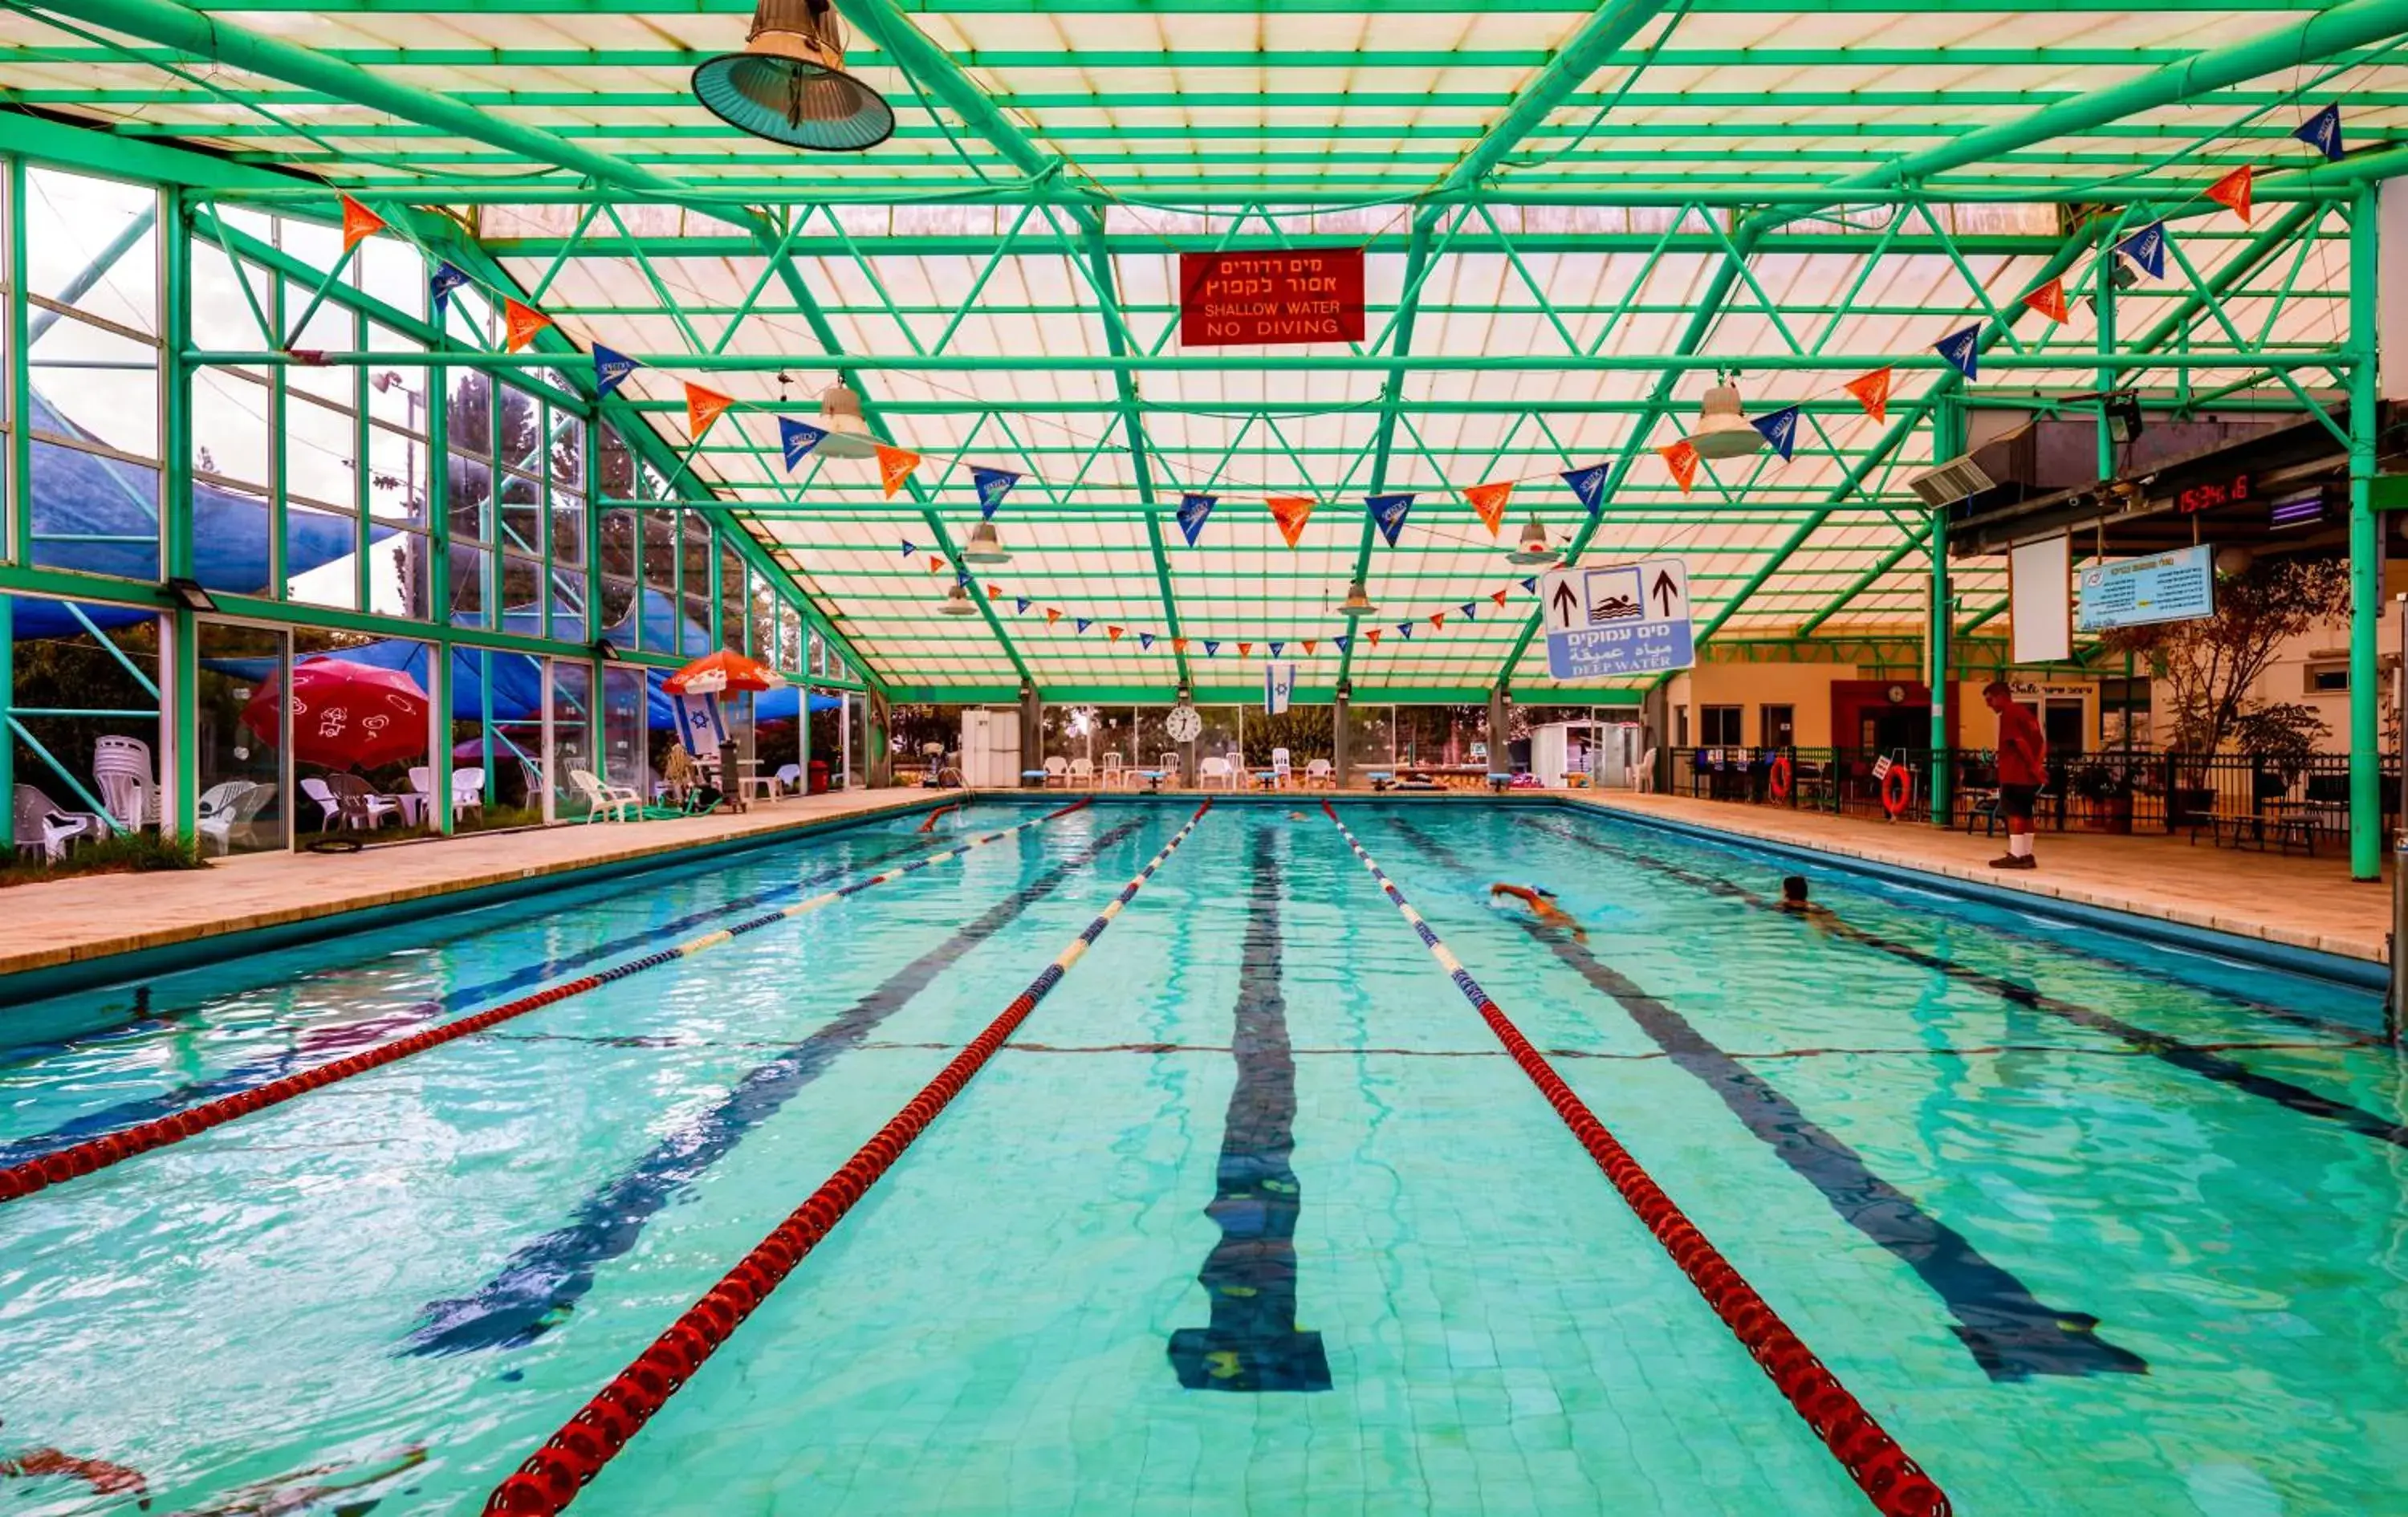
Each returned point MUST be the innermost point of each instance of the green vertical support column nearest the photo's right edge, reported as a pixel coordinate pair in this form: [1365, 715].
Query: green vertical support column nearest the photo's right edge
[2366, 557]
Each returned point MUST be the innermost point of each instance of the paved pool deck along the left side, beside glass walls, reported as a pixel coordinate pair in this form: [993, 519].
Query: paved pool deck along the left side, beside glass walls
[95, 916]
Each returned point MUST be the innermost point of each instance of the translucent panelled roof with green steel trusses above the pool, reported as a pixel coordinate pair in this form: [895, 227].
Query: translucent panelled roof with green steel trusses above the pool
[1576, 218]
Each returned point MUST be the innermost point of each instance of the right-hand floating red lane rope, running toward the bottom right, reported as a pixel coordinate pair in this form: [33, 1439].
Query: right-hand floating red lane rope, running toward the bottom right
[1889, 1477]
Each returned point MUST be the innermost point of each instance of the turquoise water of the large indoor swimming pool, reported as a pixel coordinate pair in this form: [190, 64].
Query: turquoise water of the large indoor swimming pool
[1251, 1215]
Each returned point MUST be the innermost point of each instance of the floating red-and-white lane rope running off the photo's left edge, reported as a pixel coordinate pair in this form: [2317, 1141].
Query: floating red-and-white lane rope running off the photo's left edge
[102, 1152]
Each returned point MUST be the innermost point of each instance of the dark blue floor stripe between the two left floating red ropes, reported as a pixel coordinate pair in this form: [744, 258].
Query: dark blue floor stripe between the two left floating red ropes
[550, 1275]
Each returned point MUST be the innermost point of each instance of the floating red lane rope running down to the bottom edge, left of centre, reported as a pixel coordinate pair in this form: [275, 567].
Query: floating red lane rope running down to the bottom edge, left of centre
[572, 1458]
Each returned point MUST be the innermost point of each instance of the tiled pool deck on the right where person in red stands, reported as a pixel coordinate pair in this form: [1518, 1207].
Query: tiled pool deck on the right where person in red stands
[2298, 902]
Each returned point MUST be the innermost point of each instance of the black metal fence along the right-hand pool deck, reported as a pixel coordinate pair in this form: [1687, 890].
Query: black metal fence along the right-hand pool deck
[2233, 798]
